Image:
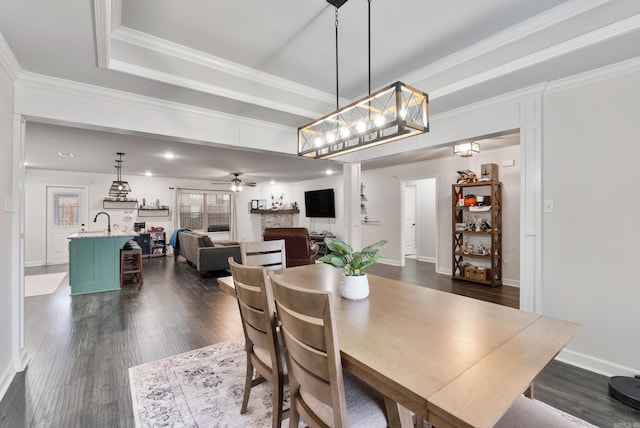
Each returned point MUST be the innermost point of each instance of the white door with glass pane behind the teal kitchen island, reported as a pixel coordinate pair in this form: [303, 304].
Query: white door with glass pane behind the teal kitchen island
[66, 212]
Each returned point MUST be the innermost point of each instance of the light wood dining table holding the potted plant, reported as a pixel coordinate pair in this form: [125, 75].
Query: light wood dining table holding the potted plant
[453, 360]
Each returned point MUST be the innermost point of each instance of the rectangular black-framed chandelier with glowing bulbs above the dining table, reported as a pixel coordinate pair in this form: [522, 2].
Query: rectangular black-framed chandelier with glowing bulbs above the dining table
[395, 112]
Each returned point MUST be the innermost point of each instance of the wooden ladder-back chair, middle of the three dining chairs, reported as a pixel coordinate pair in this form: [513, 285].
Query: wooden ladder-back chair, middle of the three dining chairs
[264, 352]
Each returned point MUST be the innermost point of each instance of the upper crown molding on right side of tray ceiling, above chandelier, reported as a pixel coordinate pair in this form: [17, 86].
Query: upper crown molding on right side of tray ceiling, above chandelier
[527, 28]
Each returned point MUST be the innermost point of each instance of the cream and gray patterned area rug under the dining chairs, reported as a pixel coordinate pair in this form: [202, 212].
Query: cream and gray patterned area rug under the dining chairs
[204, 388]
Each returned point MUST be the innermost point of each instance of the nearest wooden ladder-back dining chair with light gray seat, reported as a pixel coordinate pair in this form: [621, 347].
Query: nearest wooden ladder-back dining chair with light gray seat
[321, 394]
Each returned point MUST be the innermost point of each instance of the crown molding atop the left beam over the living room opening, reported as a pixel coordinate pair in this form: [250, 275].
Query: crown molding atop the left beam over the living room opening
[98, 93]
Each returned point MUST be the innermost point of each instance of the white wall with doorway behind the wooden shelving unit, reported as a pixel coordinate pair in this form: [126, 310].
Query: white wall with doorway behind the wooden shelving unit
[384, 202]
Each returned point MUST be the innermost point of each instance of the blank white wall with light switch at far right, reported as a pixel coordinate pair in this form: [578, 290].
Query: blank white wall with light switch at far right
[591, 152]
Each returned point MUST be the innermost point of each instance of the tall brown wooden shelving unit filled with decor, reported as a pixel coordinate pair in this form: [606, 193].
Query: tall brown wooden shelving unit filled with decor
[477, 234]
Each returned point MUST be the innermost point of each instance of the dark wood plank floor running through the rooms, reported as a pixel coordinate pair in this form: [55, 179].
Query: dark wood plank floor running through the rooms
[81, 347]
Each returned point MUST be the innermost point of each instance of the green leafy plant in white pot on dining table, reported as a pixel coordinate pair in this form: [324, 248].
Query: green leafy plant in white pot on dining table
[355, 284]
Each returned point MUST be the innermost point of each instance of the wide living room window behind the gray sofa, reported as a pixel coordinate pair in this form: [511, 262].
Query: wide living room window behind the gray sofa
[204, 211]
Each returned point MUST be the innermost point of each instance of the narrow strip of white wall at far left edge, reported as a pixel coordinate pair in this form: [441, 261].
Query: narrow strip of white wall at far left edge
[7, 288]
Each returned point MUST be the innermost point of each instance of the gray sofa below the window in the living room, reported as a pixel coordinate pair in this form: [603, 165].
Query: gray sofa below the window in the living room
[205, 255]
